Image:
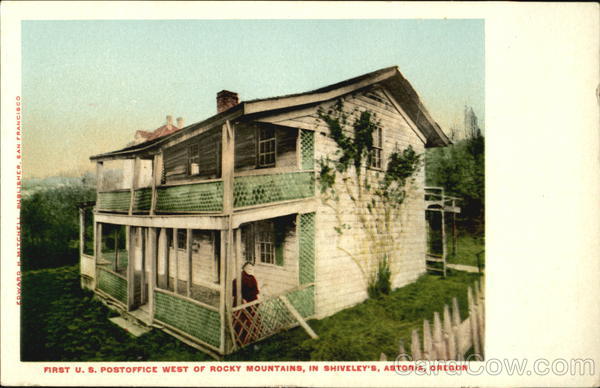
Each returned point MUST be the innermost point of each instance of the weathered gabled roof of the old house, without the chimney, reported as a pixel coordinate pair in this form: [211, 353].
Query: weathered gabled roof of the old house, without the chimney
[389, 77]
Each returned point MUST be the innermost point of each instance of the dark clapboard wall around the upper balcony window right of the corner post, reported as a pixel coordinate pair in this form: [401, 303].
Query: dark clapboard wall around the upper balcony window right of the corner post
[245, 147]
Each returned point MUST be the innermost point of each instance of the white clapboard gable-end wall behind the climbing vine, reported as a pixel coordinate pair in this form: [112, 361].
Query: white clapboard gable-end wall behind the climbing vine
[340, 282]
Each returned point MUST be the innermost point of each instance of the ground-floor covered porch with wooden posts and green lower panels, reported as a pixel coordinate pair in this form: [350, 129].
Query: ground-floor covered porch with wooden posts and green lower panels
[178, 273]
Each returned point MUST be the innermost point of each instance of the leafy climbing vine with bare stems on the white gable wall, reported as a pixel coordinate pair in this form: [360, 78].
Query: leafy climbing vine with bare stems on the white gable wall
[377, 194]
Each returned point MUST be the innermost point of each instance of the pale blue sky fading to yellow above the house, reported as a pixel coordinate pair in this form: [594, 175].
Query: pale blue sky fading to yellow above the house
[87, 86]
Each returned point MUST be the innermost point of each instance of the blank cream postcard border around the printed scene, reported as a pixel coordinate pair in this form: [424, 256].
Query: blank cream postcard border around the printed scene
[542, 172]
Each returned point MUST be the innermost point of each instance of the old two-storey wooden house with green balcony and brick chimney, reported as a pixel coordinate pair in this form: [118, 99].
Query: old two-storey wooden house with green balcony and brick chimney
[177, 216]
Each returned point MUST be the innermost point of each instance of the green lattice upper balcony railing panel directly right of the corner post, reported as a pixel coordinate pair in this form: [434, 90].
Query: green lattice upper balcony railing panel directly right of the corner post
[258, 189]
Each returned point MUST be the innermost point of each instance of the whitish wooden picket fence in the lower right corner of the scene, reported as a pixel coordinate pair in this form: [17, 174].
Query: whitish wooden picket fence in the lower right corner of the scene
[451, 338]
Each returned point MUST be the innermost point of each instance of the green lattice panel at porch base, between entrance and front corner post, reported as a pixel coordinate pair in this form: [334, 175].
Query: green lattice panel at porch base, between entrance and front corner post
[188, 317]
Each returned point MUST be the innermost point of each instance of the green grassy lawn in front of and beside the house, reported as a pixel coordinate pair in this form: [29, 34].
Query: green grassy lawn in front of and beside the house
[60, 322]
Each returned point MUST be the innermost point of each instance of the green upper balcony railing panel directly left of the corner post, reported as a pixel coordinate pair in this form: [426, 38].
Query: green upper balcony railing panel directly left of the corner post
[206, 197]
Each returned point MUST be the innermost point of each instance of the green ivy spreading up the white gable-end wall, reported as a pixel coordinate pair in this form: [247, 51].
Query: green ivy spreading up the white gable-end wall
[380, 192]
